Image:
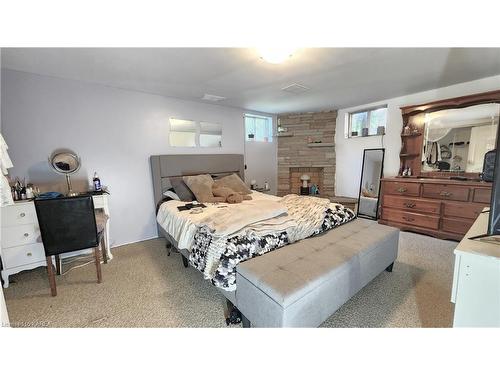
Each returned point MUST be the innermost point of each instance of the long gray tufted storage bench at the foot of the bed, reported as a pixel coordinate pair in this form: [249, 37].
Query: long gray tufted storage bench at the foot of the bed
[302, 284]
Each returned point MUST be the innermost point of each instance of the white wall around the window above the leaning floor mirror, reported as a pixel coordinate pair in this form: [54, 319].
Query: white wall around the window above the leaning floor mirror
[349, 151]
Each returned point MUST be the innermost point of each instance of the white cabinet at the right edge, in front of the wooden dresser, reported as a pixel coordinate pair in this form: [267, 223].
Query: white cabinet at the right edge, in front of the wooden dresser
[476, 280]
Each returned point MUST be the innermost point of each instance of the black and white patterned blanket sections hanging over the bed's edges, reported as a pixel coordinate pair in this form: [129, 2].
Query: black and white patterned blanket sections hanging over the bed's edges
[243, 247]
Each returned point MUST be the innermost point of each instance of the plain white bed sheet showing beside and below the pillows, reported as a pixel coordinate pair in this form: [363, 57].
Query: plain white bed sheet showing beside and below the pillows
[182, 225]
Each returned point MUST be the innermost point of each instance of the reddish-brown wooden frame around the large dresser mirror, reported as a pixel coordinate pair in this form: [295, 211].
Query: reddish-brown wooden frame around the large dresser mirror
[453, 103]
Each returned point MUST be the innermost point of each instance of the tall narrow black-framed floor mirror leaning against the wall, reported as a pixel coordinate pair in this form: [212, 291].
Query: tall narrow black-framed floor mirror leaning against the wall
[369, 187]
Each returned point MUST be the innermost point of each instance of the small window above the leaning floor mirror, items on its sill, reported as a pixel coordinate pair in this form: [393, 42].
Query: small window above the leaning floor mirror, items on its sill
[368, 122]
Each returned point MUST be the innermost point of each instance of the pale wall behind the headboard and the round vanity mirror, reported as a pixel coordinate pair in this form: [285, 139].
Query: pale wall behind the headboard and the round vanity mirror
[113, 130]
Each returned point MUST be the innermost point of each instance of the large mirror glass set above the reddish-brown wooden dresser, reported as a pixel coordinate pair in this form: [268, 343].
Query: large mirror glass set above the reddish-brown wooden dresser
[456, 140]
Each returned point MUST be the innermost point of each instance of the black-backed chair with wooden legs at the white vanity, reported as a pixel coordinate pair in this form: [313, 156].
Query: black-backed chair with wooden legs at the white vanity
[69, 224]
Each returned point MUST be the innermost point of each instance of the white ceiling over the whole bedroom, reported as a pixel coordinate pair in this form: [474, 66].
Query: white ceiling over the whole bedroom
[336, 77]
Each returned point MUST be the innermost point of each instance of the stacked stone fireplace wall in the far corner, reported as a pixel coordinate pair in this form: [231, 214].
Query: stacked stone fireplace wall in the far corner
[295, 155]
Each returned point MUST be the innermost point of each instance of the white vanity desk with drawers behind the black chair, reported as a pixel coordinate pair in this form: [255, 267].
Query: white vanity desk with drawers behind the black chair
[22, 247]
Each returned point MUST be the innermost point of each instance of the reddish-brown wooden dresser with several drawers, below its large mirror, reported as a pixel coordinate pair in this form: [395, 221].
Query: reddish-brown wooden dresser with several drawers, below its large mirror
[438, 207]
